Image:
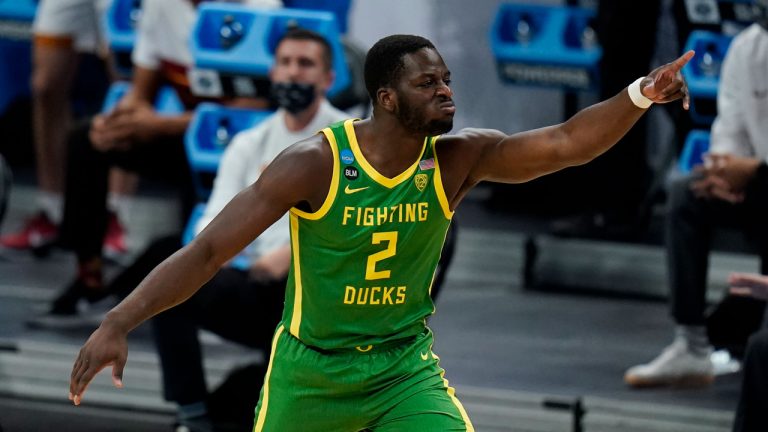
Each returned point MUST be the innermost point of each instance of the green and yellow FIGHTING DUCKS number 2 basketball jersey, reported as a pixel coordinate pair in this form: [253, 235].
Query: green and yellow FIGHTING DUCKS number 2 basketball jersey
[362, 265]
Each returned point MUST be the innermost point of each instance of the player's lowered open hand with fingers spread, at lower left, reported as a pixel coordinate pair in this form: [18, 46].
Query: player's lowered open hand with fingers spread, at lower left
[106, 346]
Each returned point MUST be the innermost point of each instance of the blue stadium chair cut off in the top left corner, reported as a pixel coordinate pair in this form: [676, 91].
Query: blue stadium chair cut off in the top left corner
[16, 18]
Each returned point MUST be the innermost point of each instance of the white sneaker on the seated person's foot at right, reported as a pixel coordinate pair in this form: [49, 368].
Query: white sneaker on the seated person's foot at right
[675, 366]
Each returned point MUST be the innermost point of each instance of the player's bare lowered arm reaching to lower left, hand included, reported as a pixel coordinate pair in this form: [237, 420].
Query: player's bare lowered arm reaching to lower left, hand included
[298, 176]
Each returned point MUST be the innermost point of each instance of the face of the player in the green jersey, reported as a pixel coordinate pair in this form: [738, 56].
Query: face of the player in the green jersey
[424, 98]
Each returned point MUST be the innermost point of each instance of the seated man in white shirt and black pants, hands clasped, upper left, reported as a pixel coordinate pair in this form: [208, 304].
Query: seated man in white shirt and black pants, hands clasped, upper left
[133, 136]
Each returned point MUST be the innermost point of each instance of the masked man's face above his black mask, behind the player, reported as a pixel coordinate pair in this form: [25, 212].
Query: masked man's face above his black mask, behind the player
[301, 61]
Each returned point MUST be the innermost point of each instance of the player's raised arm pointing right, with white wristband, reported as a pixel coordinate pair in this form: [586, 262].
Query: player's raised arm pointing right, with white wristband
[592, 131]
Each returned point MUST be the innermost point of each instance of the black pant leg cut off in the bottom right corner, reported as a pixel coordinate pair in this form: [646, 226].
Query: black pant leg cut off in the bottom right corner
[752, 413]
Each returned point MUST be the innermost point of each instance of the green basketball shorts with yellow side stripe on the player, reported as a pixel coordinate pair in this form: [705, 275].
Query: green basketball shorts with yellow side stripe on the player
[390, 388]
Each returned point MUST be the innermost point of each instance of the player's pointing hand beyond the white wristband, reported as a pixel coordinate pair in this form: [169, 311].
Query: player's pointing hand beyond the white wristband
[666, 84]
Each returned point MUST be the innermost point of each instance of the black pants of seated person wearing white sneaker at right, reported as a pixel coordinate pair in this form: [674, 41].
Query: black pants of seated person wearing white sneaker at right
[689, 229]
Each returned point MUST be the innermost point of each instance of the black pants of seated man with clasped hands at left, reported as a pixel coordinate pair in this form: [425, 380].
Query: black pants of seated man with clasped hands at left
[87, 185]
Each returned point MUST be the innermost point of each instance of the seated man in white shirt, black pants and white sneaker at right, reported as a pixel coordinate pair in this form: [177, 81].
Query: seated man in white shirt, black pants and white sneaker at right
[730, 189]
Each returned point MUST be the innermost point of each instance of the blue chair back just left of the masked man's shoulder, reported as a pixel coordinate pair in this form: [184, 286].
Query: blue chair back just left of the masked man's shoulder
[209, 132]
